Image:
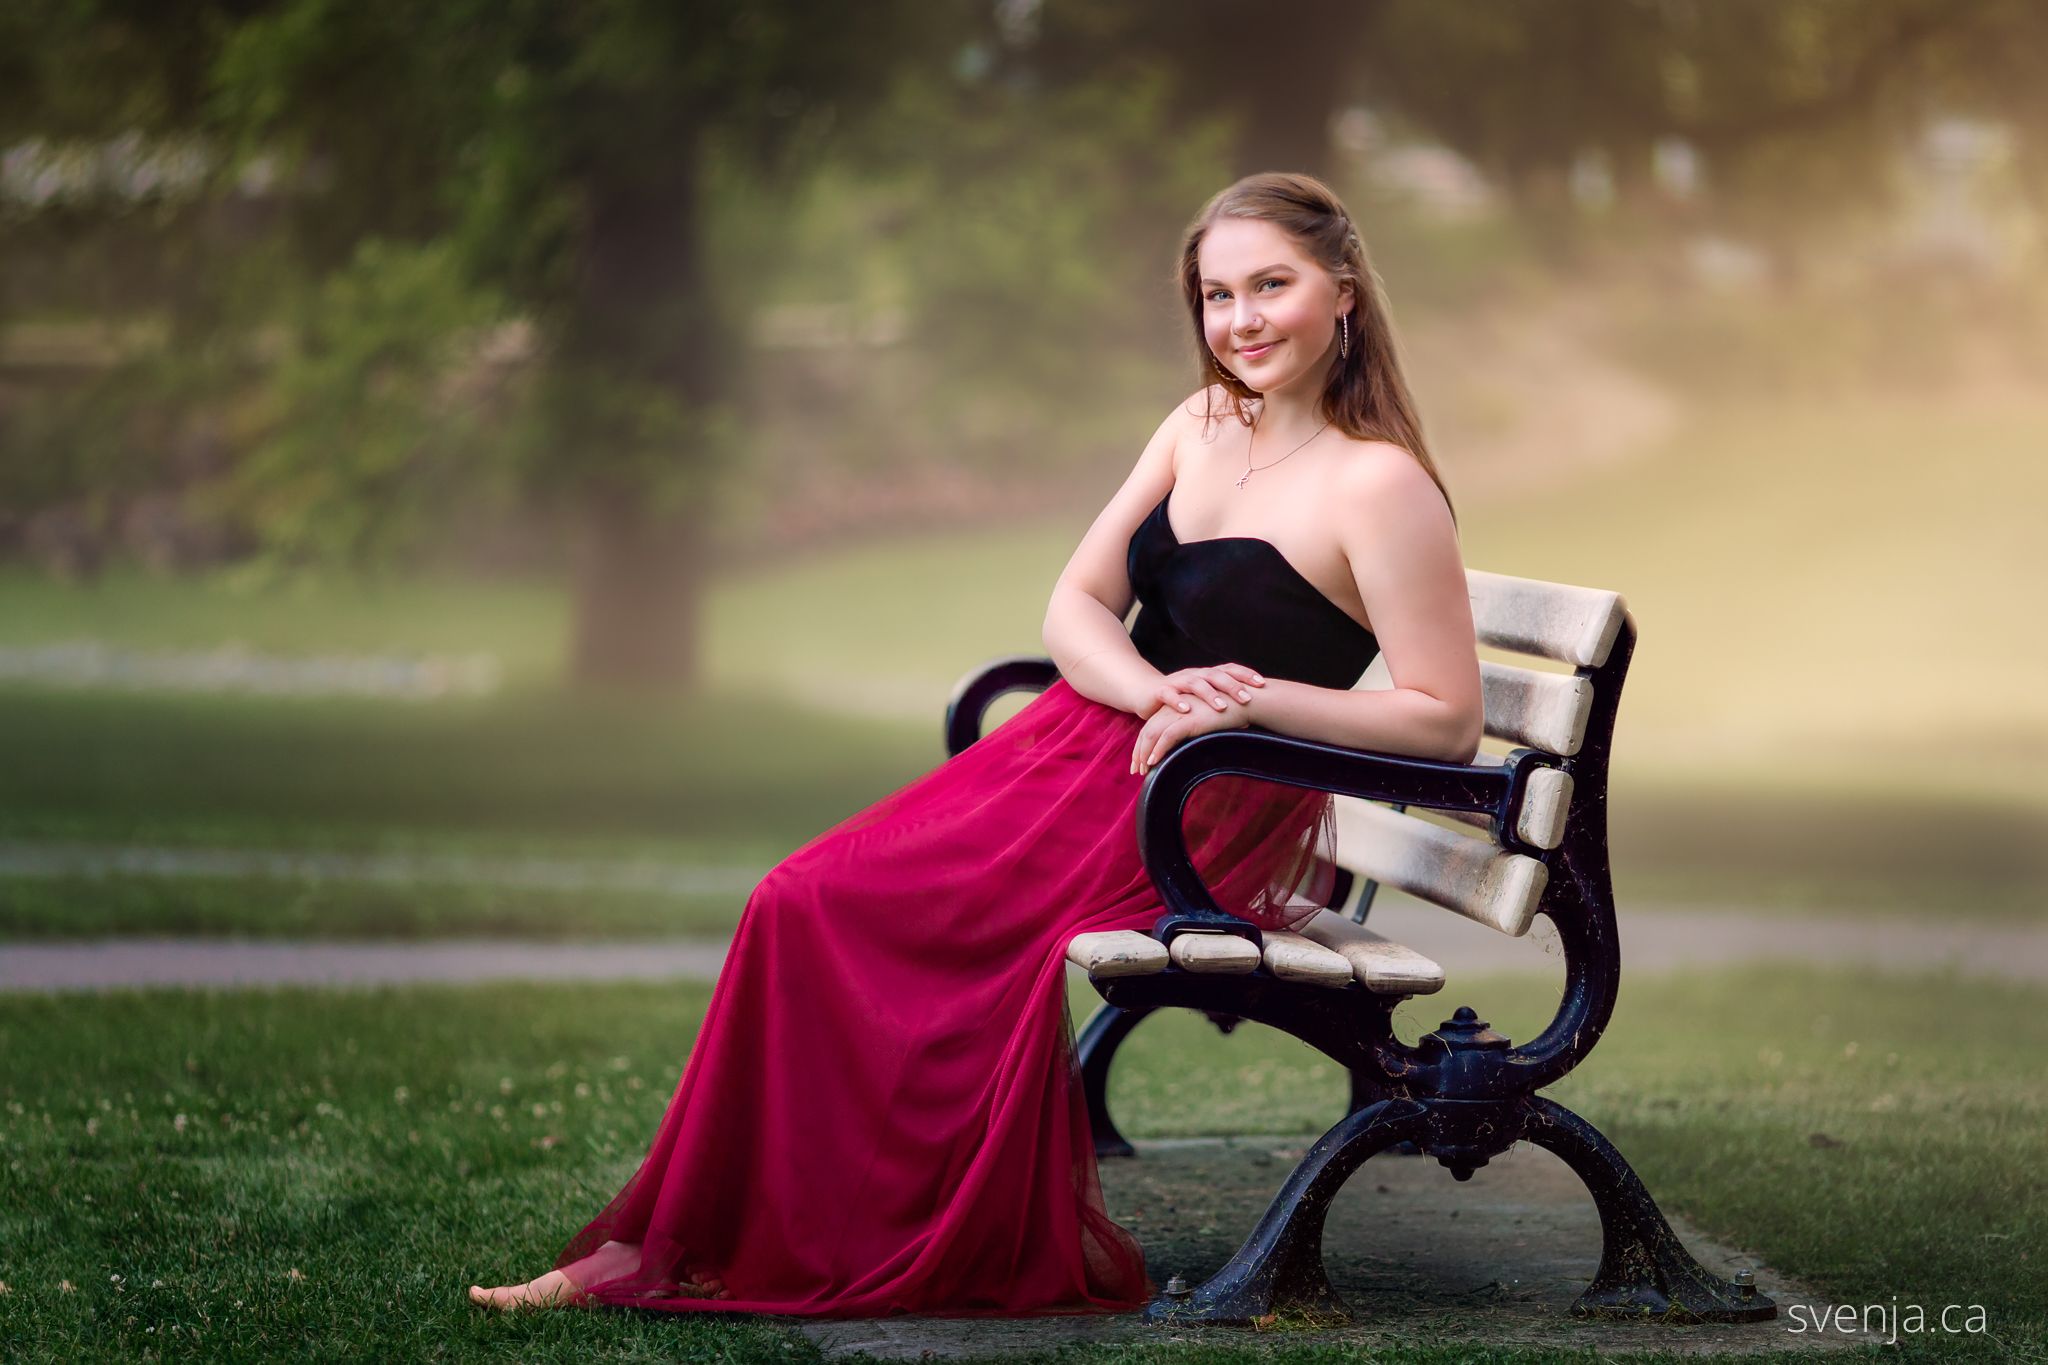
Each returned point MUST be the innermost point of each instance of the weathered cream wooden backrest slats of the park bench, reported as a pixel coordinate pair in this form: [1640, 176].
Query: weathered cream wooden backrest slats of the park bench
[1476, 875]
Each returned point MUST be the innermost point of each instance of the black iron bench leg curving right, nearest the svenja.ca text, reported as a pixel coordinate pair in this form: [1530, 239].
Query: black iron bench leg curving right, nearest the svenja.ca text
[1646, 1272]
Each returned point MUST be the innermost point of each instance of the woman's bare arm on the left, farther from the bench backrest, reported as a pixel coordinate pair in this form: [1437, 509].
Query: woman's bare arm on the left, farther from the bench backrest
[1084, 623]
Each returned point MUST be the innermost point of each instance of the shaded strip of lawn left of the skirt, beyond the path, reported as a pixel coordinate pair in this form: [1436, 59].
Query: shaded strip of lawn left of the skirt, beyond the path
[720, 773]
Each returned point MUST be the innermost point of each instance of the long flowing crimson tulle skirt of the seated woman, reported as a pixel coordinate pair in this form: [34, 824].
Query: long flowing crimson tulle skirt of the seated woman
[882, 1112]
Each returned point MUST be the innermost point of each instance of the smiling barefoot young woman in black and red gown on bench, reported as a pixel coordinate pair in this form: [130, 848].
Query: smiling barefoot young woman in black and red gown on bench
[882, 1112]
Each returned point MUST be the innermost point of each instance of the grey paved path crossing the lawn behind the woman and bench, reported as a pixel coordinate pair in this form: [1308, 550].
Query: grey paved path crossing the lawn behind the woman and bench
[1652, 942]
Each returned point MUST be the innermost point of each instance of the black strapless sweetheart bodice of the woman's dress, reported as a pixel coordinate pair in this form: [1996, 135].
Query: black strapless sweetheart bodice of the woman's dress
[1238, 601]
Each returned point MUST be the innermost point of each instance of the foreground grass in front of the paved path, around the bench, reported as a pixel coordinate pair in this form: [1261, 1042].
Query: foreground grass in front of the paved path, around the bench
[398, 1145]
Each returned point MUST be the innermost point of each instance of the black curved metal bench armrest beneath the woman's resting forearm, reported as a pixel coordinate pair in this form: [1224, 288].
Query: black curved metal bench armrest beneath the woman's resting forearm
[1308, 764]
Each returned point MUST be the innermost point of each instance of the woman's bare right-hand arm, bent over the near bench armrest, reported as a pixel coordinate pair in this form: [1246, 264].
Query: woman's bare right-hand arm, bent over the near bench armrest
[1404, 554]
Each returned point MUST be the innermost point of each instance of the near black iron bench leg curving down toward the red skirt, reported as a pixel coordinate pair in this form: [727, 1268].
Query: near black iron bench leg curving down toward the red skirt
[1281, 1266]
